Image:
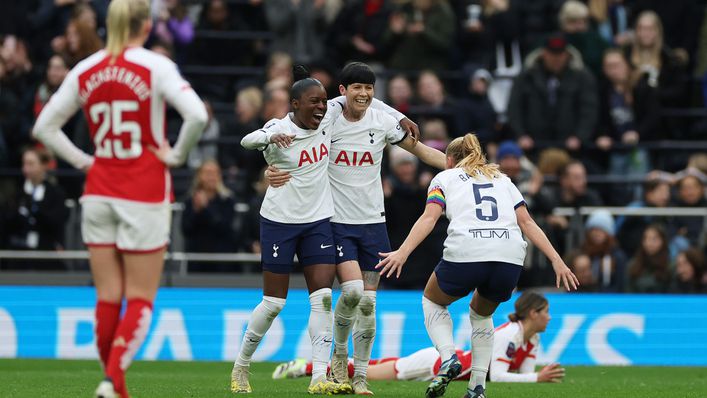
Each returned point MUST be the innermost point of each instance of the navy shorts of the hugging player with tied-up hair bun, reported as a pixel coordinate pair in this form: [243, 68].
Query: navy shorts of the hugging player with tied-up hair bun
[312, 242]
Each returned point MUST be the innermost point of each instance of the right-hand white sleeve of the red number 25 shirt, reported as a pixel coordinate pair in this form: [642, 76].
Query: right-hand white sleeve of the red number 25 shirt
[178, 93]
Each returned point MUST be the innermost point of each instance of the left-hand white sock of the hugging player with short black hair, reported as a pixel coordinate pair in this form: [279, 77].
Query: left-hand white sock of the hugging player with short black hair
[345, 313]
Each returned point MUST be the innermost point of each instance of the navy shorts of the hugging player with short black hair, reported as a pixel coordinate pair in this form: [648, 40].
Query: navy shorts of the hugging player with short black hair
[360, 242]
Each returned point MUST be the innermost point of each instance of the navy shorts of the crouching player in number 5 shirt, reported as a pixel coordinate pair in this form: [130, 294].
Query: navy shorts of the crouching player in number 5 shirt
[495, 280]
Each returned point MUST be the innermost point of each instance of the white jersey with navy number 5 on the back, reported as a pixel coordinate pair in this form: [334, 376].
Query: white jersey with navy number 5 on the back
[482, 218]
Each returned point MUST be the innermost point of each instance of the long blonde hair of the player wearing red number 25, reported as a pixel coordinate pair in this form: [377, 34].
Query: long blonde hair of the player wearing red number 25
[124, 21]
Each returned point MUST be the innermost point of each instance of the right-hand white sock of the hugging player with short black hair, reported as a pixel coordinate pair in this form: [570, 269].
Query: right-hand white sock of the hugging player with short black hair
[364, 332]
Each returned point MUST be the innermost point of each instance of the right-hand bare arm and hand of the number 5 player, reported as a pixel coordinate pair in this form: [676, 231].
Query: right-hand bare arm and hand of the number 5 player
[564, 275]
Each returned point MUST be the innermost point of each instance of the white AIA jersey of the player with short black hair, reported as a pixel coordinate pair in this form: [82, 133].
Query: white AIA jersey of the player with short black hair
[355, 165]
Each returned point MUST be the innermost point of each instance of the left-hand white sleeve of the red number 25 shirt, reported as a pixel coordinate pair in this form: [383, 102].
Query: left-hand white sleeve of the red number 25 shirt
[47, 129]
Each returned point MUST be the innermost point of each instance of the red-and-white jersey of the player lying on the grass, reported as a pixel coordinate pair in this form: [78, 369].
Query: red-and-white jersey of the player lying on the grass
[513, 360]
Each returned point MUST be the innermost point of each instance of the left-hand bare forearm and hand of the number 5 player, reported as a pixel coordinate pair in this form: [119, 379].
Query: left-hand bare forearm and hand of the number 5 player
[393, 262]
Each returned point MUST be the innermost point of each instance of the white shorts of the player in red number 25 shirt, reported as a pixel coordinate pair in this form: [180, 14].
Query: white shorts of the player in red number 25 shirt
[130, 227]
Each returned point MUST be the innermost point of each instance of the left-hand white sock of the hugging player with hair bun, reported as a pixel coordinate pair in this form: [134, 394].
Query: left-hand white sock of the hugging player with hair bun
[258, 325]
